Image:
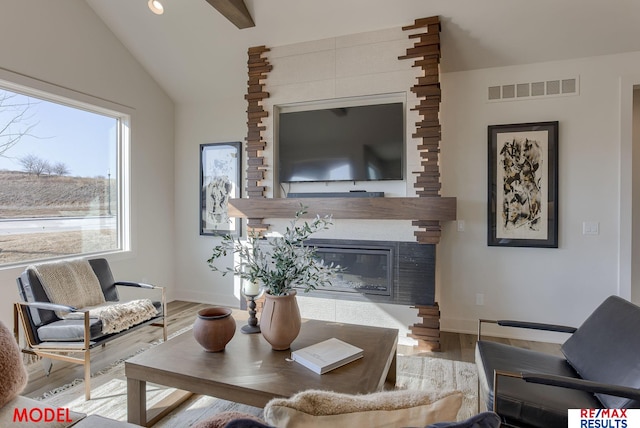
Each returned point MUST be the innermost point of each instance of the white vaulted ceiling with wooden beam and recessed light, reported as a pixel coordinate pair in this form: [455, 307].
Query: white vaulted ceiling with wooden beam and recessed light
[193, 52]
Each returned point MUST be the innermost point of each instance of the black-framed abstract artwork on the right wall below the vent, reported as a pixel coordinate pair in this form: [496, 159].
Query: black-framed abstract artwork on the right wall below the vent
[523, 185]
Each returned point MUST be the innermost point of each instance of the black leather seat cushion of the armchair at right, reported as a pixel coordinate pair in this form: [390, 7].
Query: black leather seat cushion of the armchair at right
[537, 405]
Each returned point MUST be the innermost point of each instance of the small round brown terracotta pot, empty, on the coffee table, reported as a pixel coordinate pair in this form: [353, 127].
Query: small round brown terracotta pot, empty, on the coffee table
[213, 329]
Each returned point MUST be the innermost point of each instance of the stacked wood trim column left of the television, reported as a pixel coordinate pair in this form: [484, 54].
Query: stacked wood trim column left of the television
[258, 67]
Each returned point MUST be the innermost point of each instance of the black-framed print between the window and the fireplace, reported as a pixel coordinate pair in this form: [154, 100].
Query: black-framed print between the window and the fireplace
[220, 165]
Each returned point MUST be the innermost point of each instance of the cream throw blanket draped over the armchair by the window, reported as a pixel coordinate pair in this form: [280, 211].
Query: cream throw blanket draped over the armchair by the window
[73, 283]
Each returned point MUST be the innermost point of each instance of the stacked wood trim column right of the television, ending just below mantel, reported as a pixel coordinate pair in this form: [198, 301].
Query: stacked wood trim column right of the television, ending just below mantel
[426, 55]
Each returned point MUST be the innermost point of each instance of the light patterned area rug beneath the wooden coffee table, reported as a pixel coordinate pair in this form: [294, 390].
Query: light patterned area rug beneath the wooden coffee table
[109, 392]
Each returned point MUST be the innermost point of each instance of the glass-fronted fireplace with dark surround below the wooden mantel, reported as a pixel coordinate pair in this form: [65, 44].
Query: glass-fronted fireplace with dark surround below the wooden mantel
[381, 271]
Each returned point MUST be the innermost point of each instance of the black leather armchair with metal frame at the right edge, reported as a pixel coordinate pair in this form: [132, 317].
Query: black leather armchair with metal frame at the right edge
[600, 369]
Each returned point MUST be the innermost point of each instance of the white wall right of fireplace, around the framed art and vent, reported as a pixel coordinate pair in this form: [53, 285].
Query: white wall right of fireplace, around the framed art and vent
[561, 285]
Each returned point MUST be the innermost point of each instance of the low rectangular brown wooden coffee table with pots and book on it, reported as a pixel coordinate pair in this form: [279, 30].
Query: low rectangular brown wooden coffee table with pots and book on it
[250, 372]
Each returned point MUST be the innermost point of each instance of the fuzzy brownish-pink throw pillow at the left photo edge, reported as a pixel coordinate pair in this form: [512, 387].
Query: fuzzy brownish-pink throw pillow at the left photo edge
[12, 372]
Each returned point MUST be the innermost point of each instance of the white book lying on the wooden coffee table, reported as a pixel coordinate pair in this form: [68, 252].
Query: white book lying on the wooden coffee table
[328, 355]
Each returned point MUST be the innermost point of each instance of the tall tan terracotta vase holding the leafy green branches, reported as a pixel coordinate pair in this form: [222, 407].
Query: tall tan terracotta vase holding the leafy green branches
[280, 320]
